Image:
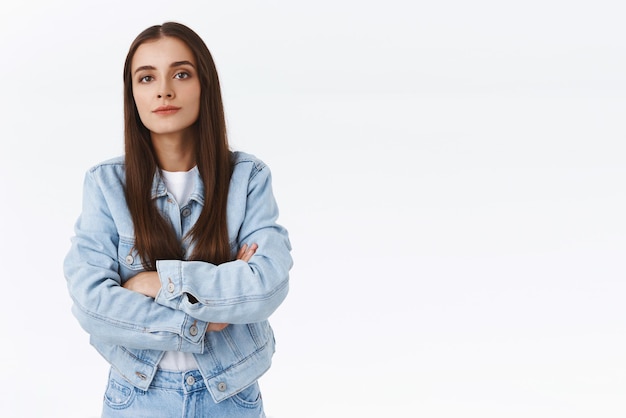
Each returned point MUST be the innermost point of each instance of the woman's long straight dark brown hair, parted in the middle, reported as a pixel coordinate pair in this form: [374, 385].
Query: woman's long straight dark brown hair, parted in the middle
[155, 237]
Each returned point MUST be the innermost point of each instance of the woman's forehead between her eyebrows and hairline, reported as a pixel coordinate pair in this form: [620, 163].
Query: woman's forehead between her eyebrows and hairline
[162, 52]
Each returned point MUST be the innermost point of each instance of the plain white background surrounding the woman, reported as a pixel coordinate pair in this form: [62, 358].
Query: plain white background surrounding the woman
[451, 173]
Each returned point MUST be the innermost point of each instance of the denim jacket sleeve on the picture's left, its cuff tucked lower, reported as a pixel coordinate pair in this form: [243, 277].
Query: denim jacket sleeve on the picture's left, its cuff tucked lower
[102, 306]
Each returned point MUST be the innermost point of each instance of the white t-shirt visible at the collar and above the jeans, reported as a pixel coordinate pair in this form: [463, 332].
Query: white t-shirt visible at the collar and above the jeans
[180, 185]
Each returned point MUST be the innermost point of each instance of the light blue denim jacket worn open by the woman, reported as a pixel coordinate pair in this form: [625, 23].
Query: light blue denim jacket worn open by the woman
[132, 331]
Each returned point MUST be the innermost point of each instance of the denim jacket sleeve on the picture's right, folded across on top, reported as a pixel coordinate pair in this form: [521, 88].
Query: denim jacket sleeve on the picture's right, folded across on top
[236, 292]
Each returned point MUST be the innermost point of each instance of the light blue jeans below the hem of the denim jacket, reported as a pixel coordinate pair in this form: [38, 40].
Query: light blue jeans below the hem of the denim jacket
[177, 394]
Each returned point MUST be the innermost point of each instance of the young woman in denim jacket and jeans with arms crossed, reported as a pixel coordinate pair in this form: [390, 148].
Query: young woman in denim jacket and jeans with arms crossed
[177, 260]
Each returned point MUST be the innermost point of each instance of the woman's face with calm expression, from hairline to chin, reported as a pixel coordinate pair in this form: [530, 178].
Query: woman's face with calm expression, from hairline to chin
[166, 86]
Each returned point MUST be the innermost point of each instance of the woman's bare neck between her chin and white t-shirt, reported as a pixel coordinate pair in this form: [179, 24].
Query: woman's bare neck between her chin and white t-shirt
[174, 152]
